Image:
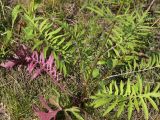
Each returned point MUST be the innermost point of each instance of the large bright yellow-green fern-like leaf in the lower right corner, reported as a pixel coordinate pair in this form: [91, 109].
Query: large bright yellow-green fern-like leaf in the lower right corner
[134, 97]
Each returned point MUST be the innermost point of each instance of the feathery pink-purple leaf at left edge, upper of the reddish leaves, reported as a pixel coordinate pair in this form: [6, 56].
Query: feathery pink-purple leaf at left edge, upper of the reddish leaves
[36, 64]
